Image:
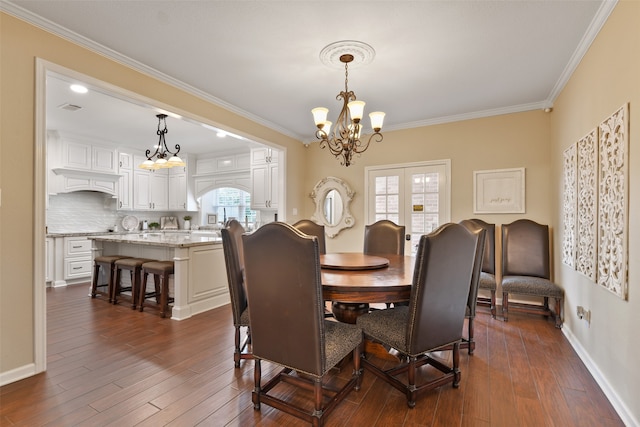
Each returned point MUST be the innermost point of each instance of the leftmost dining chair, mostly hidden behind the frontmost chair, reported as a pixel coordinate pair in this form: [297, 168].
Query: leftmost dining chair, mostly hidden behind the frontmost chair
[234, 262]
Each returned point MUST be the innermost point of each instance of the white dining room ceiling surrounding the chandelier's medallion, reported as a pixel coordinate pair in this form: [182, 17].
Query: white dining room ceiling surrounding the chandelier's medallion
[436, 61]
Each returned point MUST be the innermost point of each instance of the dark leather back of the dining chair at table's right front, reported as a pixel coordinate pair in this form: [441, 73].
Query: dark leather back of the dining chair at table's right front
[440, 287]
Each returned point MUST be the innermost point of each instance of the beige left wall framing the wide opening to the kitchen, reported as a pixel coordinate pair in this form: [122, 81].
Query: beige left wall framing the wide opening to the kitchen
[20, 45]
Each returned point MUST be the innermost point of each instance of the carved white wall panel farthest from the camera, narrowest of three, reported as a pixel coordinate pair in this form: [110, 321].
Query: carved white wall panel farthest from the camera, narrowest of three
[569, 206]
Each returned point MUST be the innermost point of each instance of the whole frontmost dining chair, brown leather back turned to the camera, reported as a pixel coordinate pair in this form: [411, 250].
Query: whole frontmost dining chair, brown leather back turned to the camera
[288, 328]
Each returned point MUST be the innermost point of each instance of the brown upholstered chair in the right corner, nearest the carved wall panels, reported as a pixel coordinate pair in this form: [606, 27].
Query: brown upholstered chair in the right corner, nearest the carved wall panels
[526, 269]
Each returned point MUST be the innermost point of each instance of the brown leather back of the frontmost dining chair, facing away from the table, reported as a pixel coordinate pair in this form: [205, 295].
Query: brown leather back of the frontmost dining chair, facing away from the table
[282, 272]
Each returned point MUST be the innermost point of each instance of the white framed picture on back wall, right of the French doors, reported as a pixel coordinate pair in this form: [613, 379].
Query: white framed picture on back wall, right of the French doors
[499, 191]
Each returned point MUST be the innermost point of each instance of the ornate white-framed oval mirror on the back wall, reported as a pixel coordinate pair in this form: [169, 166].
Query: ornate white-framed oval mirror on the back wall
[332, 197]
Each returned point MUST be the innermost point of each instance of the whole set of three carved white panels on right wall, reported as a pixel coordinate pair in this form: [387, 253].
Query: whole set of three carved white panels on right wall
[595, 204]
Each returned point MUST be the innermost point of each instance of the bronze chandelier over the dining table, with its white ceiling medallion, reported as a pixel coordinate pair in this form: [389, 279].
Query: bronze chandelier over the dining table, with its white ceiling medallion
[345, 139]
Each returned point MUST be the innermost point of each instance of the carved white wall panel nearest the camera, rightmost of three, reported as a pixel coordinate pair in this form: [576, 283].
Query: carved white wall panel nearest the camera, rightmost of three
[612, 204]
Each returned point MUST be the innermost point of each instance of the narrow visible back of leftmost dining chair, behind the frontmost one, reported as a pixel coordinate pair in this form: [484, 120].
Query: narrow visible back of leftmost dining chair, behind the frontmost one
[234, 262]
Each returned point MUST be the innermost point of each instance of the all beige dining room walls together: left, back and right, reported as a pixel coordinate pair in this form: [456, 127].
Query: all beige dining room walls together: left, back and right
[534, 140]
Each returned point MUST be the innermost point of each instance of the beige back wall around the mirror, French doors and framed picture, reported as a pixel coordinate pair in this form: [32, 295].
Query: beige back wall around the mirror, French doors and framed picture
[507, 141]
